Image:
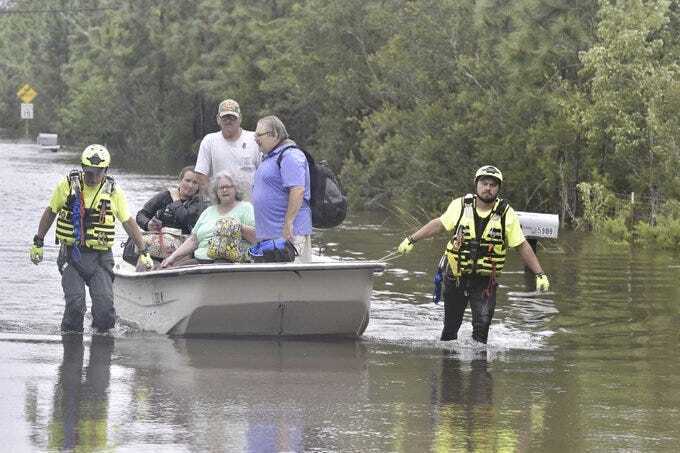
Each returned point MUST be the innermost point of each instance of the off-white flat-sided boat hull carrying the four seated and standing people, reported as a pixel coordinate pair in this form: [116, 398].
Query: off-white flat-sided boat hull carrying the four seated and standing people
[322, 298]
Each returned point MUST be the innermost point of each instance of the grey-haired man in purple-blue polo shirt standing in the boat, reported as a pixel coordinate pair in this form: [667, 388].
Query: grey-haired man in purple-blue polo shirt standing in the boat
[281, 192]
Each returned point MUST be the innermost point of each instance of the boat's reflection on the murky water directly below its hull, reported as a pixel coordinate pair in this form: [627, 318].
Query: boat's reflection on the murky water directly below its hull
[252, 395]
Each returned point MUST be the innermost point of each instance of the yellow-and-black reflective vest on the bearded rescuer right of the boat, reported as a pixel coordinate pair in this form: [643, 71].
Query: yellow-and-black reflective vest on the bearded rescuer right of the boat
[468, 255]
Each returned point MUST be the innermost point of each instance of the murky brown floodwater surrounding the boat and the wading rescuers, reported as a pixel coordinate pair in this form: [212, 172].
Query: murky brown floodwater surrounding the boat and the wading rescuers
[593, 367]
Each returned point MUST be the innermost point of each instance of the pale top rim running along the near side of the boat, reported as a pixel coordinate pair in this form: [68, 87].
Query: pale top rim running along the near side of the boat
[201, 269]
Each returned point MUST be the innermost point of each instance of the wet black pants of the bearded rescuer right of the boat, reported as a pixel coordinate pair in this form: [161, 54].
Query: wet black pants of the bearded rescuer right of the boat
[480, 294]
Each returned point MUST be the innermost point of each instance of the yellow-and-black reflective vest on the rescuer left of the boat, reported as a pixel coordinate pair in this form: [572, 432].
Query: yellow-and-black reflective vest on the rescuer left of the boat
[98, 220]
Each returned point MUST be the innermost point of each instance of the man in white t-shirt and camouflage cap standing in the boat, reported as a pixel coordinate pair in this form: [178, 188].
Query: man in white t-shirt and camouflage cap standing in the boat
[231, 149]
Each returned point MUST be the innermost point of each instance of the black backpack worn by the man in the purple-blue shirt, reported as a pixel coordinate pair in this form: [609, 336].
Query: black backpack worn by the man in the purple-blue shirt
[328, 202]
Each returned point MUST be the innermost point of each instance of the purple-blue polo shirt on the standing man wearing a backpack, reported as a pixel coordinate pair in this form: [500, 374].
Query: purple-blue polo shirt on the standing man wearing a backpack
[270, 193]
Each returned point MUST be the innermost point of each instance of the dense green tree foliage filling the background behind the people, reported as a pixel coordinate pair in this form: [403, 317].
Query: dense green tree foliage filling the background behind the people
[405, 98]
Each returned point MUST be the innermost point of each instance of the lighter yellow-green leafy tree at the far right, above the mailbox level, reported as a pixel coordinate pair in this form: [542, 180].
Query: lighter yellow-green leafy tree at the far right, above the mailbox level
[631, 86]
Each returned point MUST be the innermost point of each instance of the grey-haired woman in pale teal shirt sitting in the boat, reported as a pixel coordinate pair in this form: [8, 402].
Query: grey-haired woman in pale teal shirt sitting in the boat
[227, 214]
